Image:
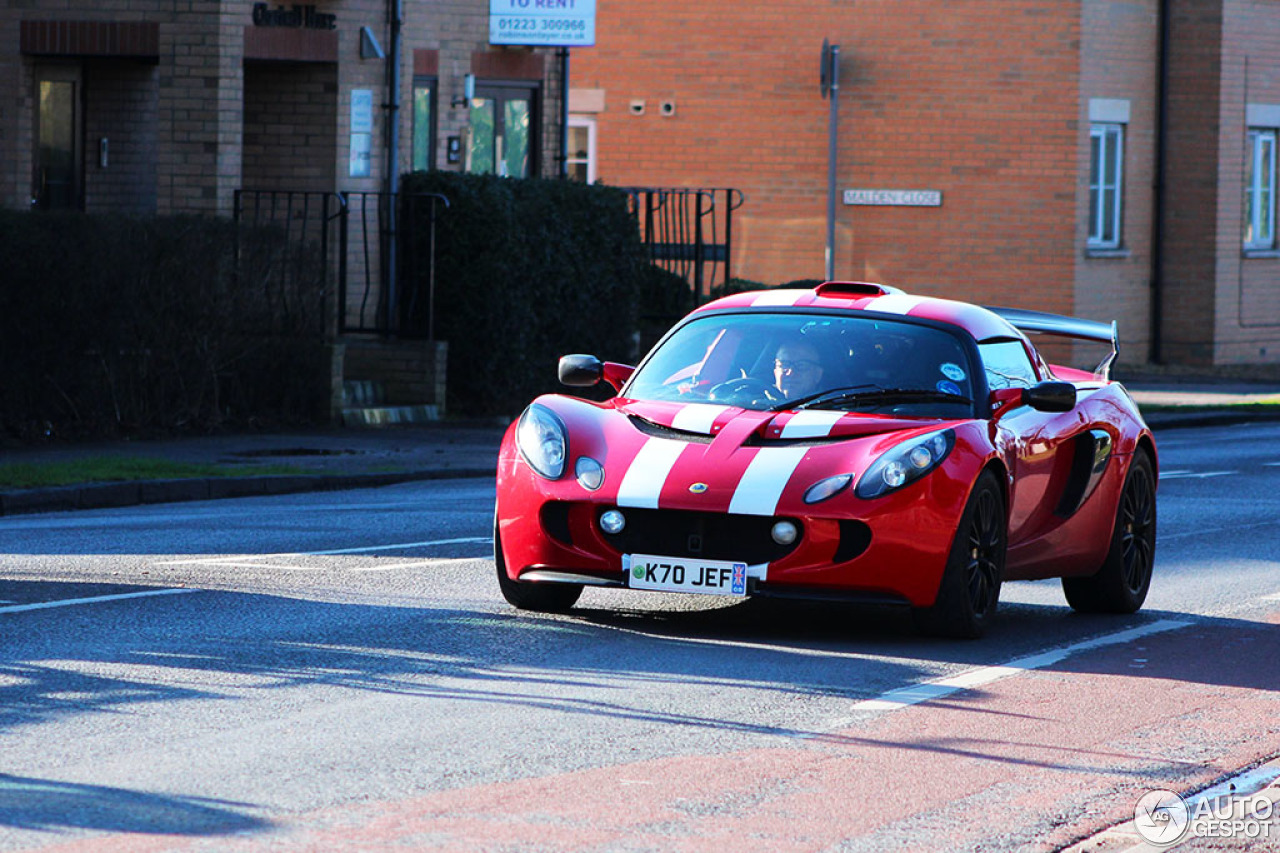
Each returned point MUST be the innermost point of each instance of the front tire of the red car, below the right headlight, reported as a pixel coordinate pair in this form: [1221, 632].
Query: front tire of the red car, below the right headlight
[970, 590]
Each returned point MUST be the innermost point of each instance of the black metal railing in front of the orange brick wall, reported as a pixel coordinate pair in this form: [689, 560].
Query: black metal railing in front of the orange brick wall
[689, 232]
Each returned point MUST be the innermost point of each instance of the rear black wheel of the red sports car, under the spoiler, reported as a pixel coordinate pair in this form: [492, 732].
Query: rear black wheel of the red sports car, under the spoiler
[1122, 583]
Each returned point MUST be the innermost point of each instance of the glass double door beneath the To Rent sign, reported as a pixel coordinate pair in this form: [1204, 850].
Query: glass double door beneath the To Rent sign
[504, 131]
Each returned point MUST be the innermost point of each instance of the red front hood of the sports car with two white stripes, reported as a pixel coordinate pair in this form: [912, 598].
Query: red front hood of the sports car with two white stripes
[723, 459]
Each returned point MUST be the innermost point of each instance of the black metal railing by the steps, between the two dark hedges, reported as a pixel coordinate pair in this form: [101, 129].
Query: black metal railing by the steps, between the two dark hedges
[346, 239]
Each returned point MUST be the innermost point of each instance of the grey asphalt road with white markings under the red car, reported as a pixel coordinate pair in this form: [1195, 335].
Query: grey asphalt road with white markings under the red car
[337, 672]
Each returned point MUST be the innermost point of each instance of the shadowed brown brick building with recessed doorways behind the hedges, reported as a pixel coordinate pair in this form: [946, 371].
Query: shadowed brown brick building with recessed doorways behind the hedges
[154, 107]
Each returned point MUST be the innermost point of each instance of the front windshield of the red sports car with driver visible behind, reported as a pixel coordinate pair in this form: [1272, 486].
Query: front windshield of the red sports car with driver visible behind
[812, 362]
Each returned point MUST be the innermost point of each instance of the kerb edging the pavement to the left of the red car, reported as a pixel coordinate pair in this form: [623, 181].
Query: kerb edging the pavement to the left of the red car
[98, 496]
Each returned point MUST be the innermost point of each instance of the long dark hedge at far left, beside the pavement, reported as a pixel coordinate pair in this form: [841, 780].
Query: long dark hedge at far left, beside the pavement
[126, 326]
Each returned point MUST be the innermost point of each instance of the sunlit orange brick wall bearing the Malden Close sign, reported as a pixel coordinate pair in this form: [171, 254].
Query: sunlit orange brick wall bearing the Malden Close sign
[977, 101]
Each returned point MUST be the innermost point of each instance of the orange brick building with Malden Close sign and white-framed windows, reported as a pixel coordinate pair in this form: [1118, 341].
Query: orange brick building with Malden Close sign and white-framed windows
[1113, 159]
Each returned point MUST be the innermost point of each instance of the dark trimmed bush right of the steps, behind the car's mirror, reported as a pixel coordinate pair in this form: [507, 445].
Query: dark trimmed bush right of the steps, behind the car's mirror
[528, 271]
